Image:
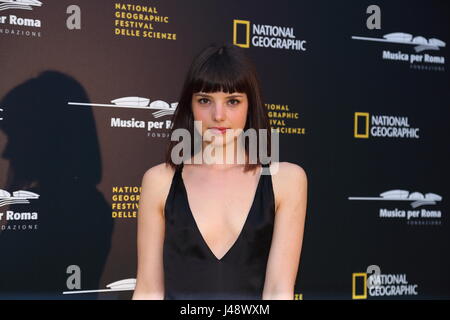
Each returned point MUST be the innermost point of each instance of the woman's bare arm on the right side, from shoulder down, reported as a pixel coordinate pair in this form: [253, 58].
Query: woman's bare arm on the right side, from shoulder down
[284, 258]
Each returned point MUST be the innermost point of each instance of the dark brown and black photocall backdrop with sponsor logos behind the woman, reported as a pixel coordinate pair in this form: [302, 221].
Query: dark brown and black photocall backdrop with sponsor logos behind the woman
[359, 94]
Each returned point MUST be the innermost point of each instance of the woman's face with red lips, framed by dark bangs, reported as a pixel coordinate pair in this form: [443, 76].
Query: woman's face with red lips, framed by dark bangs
[220, 110]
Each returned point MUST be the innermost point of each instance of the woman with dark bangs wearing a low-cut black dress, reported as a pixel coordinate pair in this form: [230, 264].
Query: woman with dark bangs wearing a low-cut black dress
[220, 229]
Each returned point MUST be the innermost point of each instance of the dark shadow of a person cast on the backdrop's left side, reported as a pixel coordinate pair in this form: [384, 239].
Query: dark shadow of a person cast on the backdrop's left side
[53, 151]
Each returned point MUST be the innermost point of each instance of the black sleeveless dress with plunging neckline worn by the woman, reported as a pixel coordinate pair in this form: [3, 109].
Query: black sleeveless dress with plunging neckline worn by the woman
[193, 272]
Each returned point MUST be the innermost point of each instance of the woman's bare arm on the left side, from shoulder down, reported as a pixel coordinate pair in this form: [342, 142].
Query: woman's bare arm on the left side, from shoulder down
[150, 235]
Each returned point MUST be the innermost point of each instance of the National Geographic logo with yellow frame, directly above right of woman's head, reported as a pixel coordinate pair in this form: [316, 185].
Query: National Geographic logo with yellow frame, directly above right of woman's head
[246, 34]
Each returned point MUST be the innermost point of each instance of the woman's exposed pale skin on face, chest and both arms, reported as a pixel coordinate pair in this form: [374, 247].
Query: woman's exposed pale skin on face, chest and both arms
[219, 197]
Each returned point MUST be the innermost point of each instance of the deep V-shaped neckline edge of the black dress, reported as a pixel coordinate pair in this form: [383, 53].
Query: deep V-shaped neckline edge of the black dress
[243, 226]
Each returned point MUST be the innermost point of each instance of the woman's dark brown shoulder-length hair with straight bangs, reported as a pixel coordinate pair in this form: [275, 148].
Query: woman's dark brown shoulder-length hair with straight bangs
[221, 68]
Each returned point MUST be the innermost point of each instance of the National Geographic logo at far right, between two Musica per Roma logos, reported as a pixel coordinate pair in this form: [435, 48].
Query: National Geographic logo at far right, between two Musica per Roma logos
[382, 126]
